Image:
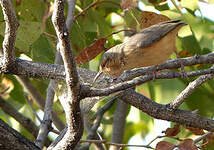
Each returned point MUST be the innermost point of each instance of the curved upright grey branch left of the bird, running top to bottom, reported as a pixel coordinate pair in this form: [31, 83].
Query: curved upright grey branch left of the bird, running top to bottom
[72, 103]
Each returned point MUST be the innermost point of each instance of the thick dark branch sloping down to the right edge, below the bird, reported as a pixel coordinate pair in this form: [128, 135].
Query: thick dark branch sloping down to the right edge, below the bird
[164, 112]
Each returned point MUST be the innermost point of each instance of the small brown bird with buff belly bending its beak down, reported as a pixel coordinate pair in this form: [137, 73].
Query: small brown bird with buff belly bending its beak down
[151, 46]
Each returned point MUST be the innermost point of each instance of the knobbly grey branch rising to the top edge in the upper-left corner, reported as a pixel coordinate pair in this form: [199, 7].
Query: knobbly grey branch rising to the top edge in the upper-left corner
[10, 32]
